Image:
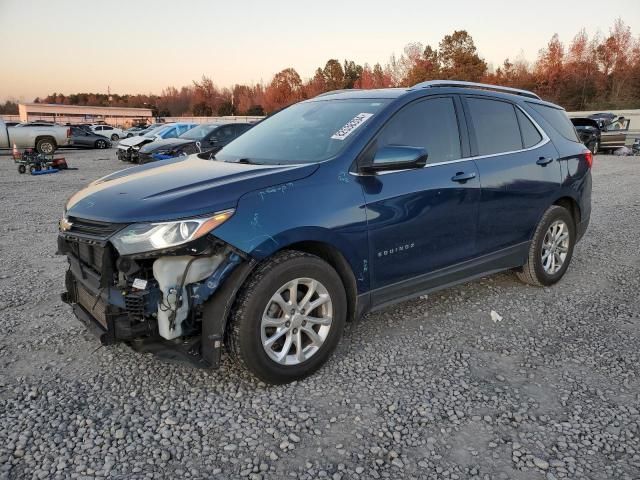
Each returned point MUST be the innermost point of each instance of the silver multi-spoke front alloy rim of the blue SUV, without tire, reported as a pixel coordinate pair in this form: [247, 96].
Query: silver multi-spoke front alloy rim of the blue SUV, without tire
[296, 321]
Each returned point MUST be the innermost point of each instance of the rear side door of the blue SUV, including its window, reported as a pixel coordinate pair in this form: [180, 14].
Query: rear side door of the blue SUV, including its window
[519, 172]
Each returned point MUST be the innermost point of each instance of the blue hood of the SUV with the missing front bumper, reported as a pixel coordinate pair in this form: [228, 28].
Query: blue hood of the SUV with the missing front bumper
[176, 189]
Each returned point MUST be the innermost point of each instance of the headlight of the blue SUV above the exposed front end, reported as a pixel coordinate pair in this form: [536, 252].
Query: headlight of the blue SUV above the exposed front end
[145, 237]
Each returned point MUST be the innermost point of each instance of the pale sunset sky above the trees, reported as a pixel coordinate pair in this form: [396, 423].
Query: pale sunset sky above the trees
[143, 46]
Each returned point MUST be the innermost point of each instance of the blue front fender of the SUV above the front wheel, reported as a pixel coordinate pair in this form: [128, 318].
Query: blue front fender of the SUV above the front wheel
[324, 207]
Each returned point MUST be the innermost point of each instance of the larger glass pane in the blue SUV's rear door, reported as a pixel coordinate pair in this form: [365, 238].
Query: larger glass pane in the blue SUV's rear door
[495, 125]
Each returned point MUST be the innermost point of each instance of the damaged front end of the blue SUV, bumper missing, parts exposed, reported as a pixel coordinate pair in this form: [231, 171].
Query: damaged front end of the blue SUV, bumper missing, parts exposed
[171, 301]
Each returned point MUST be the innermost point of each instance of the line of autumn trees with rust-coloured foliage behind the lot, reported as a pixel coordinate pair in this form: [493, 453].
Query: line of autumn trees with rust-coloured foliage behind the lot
[590, 73]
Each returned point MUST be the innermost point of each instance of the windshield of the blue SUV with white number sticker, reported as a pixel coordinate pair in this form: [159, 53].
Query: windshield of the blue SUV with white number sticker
[306, 132]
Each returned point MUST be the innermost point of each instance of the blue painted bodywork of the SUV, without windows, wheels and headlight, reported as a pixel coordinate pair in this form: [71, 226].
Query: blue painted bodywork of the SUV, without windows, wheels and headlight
[333, 203]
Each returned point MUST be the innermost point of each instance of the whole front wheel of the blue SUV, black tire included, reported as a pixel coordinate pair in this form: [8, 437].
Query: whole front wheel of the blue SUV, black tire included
[255, 301]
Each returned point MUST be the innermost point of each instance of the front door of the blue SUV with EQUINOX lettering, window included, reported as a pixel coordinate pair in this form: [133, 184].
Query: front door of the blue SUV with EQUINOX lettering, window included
[424, 219]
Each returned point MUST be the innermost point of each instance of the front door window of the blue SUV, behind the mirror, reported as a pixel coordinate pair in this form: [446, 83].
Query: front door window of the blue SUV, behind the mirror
[431, 124]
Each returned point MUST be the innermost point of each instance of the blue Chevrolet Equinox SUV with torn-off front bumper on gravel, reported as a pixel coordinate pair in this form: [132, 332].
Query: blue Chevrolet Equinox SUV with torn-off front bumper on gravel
[331, 208]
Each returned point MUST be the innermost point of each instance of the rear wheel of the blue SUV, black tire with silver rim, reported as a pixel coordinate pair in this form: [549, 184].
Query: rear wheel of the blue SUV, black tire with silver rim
[538, 271]
